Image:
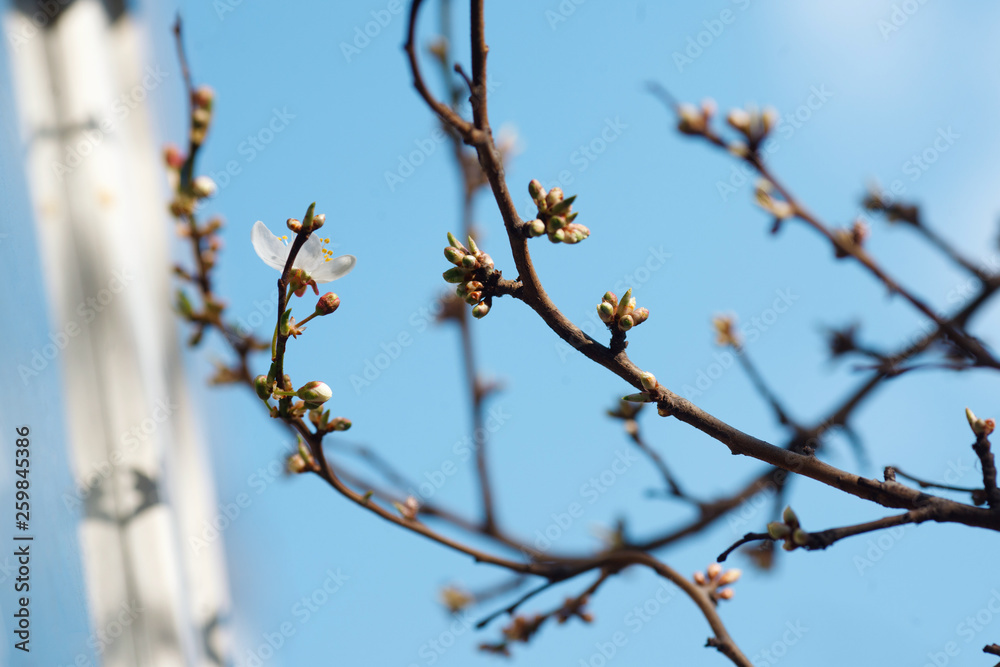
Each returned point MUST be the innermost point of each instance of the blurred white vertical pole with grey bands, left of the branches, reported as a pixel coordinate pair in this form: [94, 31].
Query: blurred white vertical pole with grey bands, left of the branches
[143, 479]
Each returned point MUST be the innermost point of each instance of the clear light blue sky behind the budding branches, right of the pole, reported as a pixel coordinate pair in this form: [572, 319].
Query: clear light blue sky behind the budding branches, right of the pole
[299, 118]
